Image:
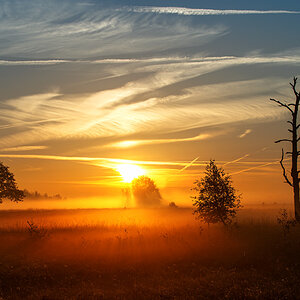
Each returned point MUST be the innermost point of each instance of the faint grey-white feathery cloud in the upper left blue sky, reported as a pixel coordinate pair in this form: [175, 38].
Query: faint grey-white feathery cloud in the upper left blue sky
[56, 30]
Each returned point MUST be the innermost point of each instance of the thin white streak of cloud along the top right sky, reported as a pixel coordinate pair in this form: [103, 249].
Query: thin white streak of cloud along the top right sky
[204, 12]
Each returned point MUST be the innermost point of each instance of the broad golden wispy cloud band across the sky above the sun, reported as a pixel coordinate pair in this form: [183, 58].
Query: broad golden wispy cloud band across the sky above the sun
[136, 108]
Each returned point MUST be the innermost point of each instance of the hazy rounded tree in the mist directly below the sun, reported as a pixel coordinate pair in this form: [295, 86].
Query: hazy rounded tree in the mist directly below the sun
[145, 192]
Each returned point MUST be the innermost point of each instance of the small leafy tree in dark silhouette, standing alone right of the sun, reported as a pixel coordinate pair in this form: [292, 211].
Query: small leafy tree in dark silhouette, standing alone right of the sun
[217, 200]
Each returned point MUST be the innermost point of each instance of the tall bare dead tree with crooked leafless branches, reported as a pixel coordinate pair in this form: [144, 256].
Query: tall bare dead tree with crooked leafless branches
[294, 182]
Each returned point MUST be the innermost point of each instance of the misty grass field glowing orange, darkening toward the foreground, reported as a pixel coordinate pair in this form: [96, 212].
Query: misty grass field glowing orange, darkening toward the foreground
[146, 254]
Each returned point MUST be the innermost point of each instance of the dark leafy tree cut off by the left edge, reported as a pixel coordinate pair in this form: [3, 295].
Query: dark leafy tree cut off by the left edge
[8, 186]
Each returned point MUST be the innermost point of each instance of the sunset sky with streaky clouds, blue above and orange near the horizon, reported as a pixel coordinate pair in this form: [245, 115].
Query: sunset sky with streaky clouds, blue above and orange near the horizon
[87, 86]
